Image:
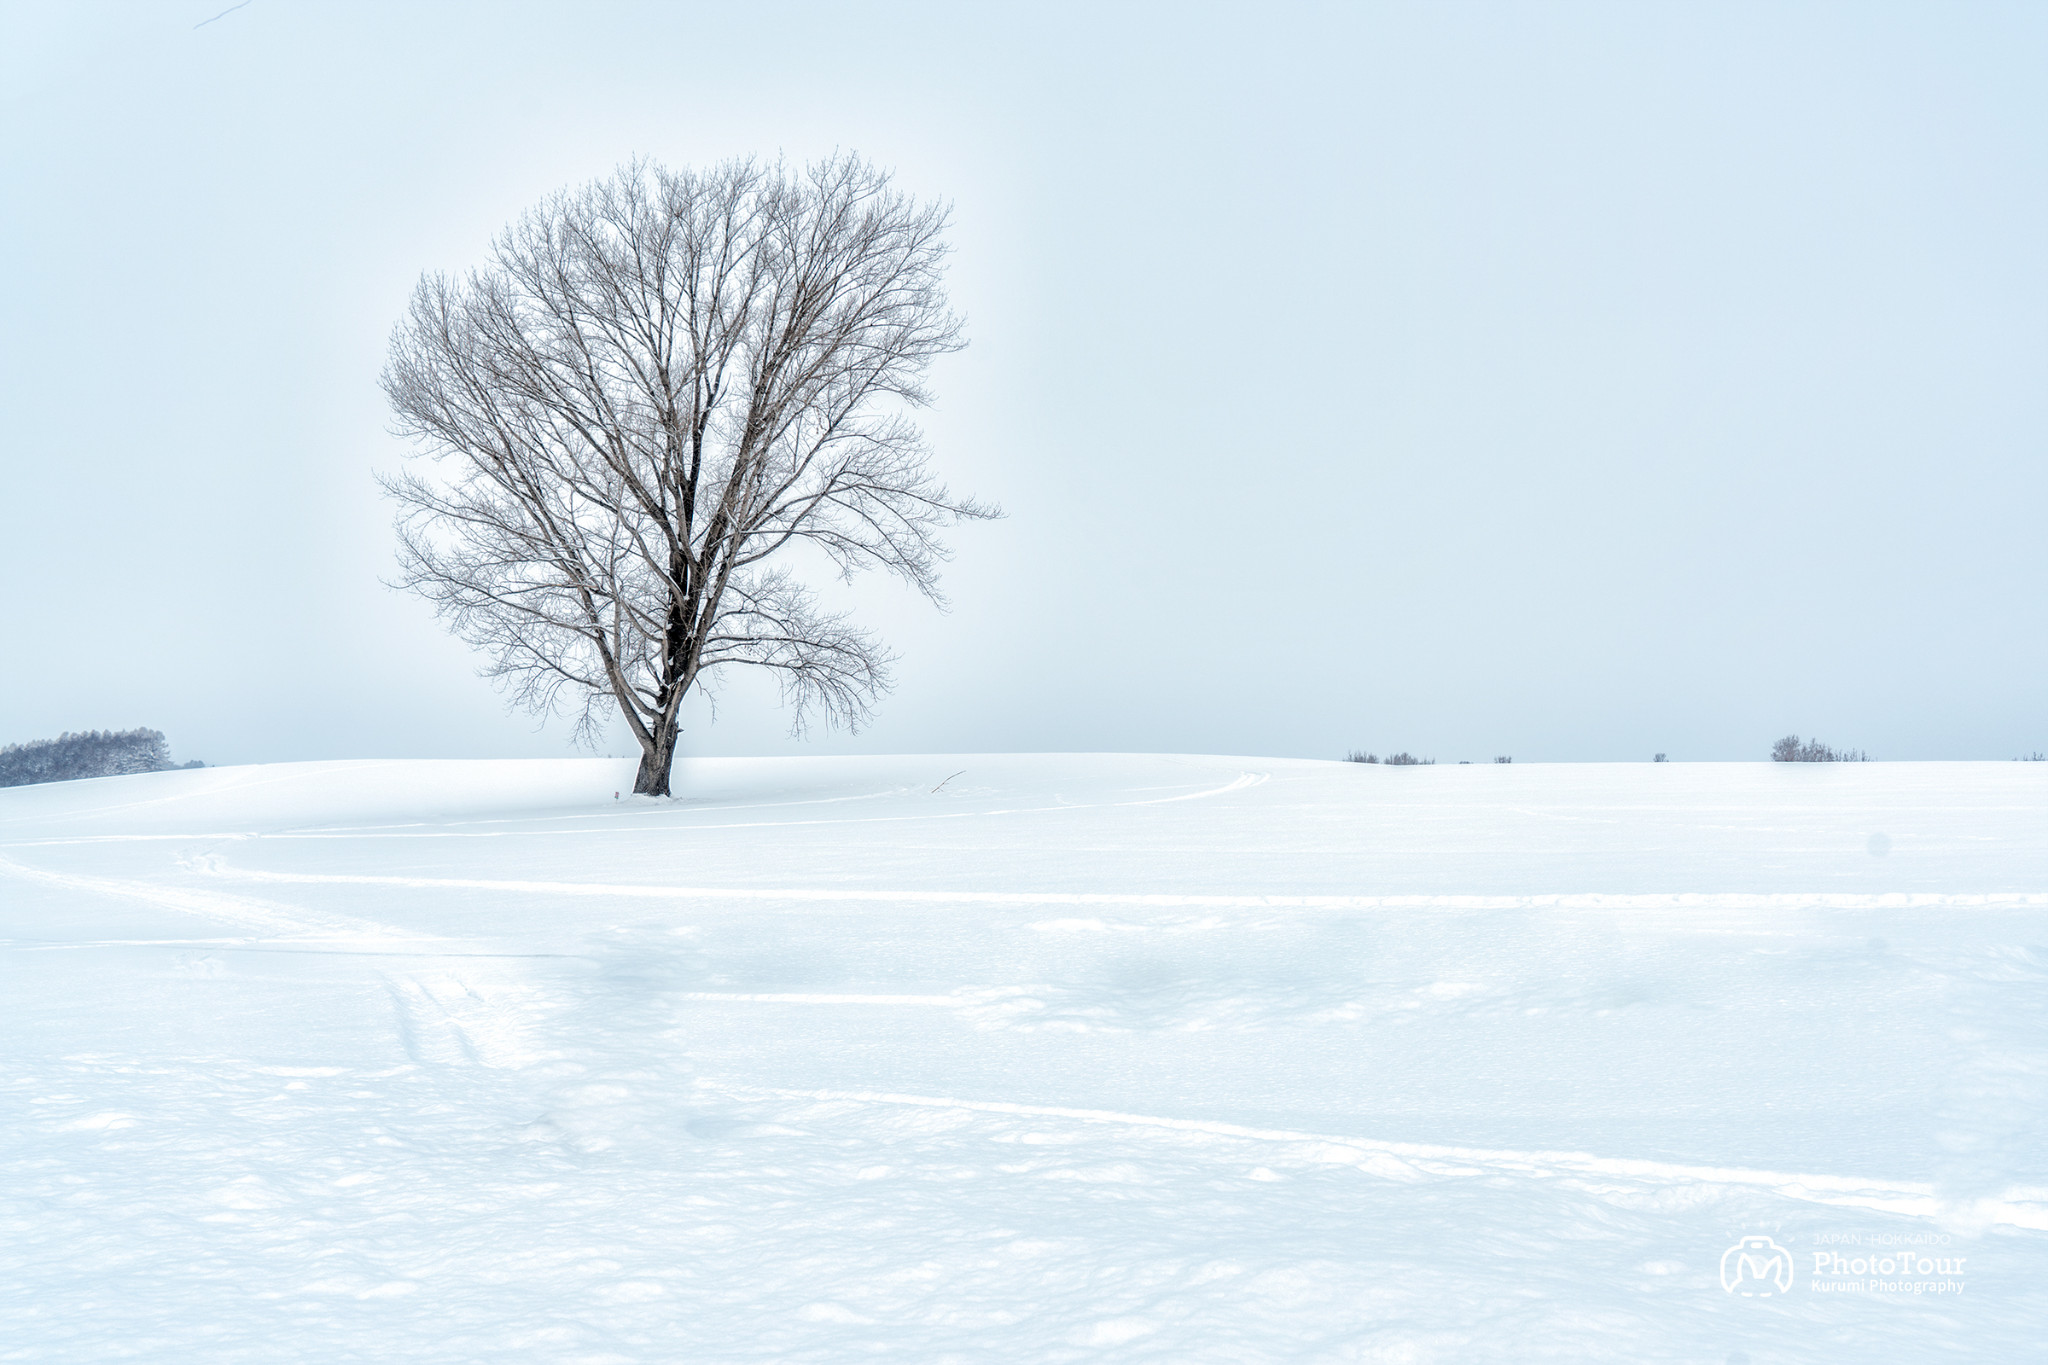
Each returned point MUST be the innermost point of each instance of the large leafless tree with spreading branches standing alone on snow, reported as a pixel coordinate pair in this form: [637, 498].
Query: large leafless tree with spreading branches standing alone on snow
[658, 390]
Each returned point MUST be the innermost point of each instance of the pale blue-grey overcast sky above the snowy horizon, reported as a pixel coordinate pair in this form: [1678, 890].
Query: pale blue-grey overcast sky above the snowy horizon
[1568, 382]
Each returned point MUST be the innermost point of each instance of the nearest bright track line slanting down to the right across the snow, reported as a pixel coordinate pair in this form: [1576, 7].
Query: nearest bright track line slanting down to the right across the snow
[2016, 1208]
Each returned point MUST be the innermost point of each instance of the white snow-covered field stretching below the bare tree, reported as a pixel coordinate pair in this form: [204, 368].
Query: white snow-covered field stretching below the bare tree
[1025, 1059]
